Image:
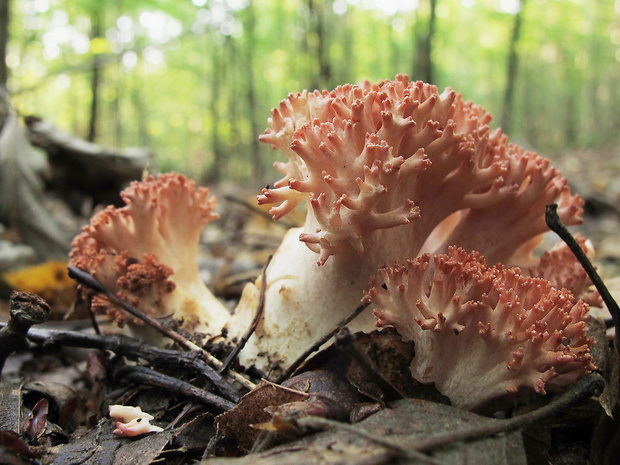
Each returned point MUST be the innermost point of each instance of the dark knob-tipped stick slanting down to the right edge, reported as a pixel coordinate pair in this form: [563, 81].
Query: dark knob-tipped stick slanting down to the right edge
[555, 224]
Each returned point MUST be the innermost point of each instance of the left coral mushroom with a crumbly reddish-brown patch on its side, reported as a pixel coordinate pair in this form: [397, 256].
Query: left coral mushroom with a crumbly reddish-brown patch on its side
[146, 252]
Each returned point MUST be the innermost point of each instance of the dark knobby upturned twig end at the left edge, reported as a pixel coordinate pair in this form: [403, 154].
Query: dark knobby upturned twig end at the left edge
[26, 310]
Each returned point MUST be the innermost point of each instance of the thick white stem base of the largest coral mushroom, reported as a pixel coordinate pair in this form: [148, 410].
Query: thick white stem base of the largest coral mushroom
[302, 302]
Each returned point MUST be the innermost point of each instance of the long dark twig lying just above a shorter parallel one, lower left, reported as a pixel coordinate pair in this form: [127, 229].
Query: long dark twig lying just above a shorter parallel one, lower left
[135, 350]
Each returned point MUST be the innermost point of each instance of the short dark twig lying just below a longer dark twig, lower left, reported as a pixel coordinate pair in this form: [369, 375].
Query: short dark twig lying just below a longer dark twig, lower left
[141, 374]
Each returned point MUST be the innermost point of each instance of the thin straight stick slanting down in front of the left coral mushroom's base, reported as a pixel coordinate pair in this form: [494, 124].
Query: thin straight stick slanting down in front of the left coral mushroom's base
[88, 280]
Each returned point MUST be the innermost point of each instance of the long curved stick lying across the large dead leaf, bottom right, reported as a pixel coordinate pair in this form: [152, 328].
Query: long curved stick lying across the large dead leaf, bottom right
[584, 389]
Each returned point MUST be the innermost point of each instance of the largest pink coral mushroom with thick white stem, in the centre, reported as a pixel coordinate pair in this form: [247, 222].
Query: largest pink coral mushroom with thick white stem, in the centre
[389, 170]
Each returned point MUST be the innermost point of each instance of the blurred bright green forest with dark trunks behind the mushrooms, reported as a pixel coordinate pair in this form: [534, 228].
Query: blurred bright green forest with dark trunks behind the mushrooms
[195, 79]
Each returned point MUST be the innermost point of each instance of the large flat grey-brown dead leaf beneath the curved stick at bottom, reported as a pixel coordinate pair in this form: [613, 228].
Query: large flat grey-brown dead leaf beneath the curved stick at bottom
[404, 425]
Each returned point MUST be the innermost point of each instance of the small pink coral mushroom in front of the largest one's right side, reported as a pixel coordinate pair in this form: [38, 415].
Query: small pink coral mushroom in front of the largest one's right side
[481, 332]
